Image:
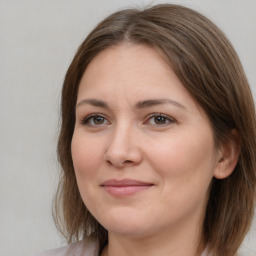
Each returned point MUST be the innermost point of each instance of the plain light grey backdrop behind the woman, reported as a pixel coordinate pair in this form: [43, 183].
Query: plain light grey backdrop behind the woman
[38, 41]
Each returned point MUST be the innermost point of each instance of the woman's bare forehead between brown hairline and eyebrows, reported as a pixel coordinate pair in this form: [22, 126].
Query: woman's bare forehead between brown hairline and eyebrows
[134, 71]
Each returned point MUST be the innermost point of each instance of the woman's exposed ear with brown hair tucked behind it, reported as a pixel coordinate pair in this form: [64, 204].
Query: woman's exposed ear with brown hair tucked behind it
[228, 155]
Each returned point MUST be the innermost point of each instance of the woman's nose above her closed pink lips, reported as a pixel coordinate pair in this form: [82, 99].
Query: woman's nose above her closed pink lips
[123, 149]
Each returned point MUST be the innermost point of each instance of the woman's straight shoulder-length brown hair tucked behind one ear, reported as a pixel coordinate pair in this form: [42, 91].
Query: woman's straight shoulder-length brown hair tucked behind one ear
[209, 68]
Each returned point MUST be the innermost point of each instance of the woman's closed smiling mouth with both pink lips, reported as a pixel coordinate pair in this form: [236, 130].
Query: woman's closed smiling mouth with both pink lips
[125, 187]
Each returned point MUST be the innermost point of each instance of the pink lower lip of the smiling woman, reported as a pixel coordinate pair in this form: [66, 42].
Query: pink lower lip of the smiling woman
[125, 190]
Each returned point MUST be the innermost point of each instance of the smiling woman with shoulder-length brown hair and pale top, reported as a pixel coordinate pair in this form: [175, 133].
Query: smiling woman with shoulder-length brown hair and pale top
[157, 142]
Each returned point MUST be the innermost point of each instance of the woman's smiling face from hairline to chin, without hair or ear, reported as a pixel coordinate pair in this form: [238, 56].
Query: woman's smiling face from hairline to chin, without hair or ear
[143, 150]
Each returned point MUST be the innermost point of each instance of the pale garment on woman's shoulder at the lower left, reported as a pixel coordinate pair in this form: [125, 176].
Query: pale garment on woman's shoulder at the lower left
[82, 248]
